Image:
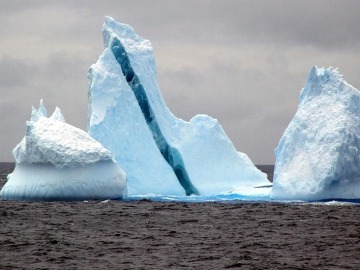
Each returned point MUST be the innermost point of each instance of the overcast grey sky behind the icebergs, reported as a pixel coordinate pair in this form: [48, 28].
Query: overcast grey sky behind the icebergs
[241, 62]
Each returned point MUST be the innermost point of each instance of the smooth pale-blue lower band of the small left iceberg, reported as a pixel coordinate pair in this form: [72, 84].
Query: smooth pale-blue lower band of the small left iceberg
[42, 182]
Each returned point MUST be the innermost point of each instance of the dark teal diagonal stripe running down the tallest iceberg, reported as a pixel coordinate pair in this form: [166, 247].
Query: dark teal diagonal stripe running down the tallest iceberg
[170, 154]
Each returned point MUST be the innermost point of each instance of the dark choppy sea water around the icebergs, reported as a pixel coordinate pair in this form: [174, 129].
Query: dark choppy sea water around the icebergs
[143, 234]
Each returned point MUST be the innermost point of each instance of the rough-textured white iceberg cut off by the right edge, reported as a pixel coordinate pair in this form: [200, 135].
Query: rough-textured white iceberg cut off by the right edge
[318, 155]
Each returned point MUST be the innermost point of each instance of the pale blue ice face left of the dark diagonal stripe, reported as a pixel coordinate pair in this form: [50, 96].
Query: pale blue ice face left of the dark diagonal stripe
[116, 120]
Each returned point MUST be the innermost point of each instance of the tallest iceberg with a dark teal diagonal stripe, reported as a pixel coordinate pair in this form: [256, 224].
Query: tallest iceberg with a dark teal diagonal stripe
[160, 153]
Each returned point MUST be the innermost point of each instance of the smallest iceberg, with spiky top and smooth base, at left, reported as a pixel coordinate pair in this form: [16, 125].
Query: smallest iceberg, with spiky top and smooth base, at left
[56, 161]
